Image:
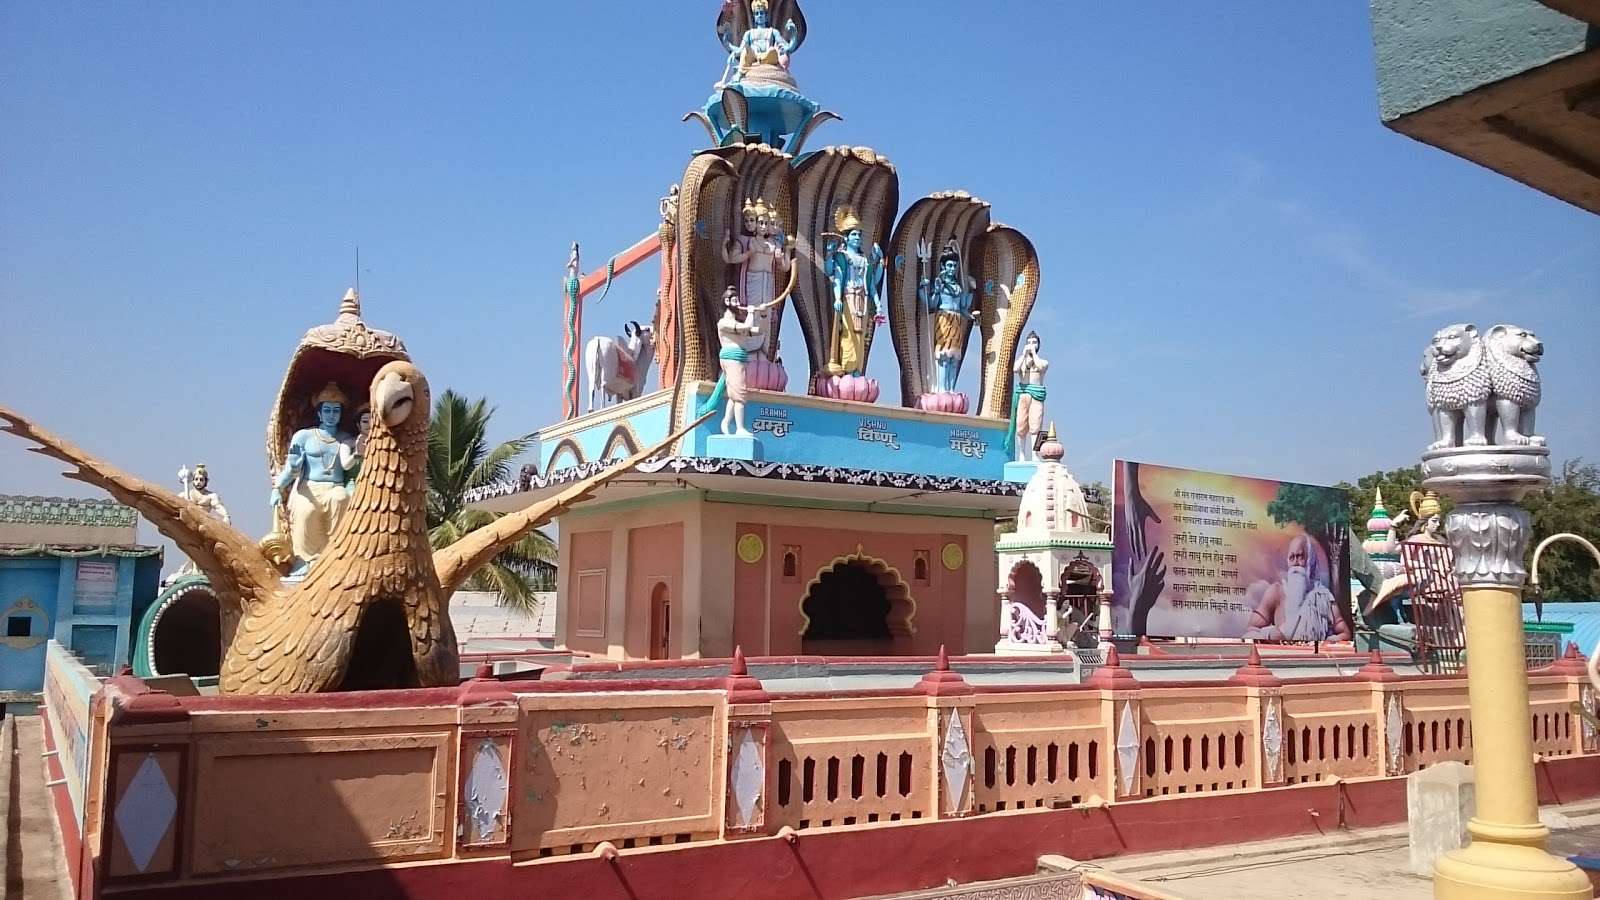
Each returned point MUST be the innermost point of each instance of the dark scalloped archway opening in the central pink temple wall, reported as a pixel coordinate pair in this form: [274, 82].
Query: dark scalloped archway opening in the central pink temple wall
[857, 606]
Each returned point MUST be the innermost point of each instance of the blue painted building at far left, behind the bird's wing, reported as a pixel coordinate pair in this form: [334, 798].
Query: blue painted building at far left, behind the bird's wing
[71, 571]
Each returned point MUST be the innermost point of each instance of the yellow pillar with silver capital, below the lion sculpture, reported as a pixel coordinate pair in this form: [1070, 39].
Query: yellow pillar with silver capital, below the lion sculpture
[1489, 532]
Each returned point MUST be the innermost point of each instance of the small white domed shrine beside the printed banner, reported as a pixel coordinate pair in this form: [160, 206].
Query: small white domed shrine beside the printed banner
[1054, 571]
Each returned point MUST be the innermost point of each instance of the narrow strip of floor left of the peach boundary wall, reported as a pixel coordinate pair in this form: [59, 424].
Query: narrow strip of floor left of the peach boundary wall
[33, 859]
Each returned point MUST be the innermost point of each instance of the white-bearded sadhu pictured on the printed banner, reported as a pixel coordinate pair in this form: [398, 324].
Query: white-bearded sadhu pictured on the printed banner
[1300, 606]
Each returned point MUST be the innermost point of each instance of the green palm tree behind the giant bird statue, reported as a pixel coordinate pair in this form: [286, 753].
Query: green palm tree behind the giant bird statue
[460, 459]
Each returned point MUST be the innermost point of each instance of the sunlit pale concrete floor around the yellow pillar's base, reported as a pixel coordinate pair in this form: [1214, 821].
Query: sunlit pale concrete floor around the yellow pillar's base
[1351, 866]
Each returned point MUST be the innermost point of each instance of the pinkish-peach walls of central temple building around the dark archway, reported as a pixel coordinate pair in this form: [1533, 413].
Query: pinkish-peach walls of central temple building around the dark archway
[721, 603]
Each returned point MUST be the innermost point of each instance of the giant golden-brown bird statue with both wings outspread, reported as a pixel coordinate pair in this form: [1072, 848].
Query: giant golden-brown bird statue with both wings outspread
[374, 609]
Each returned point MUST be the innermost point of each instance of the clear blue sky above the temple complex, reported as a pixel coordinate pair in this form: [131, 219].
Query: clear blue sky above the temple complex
[1241, 265]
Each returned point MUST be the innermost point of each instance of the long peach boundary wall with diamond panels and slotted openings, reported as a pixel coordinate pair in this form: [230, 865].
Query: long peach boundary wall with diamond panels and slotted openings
[540, 773]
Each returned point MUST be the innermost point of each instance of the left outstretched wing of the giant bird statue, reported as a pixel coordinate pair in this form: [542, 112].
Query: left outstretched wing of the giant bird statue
[238, 569]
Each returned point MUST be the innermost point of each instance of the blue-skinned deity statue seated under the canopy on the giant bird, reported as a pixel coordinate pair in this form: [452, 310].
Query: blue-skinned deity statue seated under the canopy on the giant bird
[314, 478]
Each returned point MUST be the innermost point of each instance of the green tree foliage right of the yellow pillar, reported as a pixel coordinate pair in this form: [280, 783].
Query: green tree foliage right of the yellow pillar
[1572, 504]
